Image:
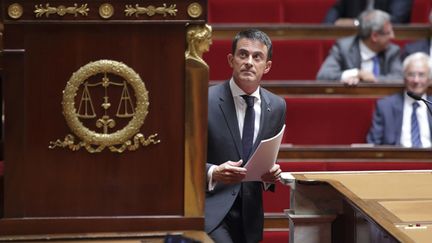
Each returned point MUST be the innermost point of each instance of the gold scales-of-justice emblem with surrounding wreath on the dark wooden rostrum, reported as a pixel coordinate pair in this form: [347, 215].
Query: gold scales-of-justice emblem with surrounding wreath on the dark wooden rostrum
[97, 126]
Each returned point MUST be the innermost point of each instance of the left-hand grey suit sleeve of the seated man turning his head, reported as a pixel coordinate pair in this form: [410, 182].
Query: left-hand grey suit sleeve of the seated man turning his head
[331, 68]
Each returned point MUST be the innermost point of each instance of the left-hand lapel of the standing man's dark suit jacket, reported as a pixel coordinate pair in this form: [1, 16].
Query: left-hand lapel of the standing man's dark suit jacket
[229, 113]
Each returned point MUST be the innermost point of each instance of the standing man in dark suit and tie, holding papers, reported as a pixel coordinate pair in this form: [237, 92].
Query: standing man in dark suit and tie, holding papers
[233, 209]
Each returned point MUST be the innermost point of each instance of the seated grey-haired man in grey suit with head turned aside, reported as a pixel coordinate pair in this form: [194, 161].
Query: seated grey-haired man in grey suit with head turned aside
[367, 57]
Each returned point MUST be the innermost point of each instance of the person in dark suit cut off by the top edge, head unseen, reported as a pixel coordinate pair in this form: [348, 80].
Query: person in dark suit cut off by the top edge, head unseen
[345, 12]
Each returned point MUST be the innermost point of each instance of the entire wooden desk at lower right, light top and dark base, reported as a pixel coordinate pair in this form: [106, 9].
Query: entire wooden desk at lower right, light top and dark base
[368, 206]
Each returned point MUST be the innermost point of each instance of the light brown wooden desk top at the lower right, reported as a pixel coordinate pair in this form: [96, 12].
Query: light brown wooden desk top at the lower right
[400, 201]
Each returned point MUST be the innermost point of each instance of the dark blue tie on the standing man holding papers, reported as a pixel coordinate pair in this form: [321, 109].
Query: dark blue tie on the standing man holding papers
[248, 127]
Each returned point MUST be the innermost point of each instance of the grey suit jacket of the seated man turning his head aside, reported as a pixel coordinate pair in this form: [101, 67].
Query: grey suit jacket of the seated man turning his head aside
[345, 54]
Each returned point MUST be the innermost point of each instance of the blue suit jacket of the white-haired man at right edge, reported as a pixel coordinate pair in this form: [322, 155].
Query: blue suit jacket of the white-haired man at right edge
[387, 120]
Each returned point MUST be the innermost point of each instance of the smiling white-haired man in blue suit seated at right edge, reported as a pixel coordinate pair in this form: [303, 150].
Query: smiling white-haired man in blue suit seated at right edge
[399, 119]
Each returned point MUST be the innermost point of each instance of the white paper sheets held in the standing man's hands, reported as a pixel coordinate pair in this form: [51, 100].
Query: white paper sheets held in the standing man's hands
[264, 157]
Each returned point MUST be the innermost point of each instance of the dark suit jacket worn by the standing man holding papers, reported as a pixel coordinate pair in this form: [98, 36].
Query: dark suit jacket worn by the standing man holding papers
[224, 143]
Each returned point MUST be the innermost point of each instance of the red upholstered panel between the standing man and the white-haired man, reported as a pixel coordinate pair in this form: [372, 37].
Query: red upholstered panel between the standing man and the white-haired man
[327, 120]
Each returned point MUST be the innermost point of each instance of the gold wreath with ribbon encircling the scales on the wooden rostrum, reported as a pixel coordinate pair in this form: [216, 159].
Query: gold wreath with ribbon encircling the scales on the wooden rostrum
[101, 140]
